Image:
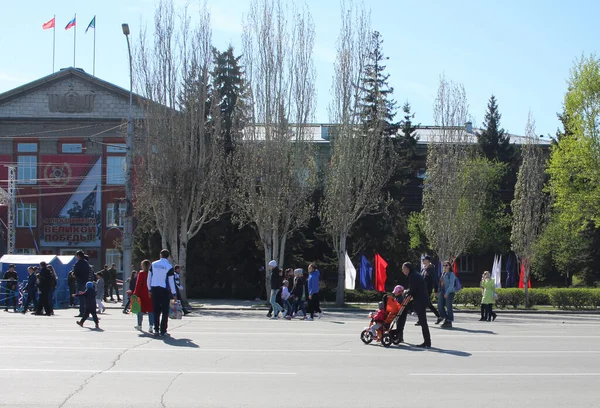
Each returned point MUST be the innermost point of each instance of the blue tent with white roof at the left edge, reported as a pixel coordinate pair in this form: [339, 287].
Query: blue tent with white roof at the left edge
[62, 266]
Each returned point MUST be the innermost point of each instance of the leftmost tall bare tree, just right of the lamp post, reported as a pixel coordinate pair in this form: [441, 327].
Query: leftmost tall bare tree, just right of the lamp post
[181, 161]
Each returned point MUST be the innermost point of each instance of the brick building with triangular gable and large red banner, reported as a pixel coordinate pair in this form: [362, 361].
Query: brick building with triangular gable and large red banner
[65, 134]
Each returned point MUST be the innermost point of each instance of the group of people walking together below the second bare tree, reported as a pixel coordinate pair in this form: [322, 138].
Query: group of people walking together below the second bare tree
[303, 297]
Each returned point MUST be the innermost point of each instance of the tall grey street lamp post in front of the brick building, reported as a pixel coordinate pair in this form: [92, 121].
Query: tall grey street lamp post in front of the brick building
[128, 219]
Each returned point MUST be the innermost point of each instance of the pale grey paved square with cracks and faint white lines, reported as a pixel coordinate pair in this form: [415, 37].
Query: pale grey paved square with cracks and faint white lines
[242, 359]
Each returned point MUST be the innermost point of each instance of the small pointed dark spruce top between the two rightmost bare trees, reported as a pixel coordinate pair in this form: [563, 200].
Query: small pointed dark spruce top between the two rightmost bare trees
[494, 141]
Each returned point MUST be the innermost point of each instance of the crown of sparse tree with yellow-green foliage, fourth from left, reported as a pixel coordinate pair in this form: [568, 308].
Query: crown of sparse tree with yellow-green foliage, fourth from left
[457, 184]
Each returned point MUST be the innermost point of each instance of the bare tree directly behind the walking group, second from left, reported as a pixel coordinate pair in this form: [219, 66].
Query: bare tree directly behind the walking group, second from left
[276, 164]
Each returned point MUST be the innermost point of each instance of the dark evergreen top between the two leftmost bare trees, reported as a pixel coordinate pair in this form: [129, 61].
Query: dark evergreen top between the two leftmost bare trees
[231, 89]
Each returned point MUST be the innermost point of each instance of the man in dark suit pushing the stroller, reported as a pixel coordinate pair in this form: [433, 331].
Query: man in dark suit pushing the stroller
[417, 289]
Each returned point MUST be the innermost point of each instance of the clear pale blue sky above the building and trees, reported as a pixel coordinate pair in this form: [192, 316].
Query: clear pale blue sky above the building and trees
[521, 51]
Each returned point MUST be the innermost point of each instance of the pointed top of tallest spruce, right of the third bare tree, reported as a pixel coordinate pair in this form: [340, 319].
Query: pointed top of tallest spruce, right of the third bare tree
[377, 108]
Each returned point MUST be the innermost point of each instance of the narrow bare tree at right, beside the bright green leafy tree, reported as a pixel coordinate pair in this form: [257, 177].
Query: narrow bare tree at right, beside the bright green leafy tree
[530, 202]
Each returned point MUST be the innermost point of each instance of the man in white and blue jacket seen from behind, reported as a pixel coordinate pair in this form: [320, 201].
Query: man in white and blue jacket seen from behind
[161, 285]
